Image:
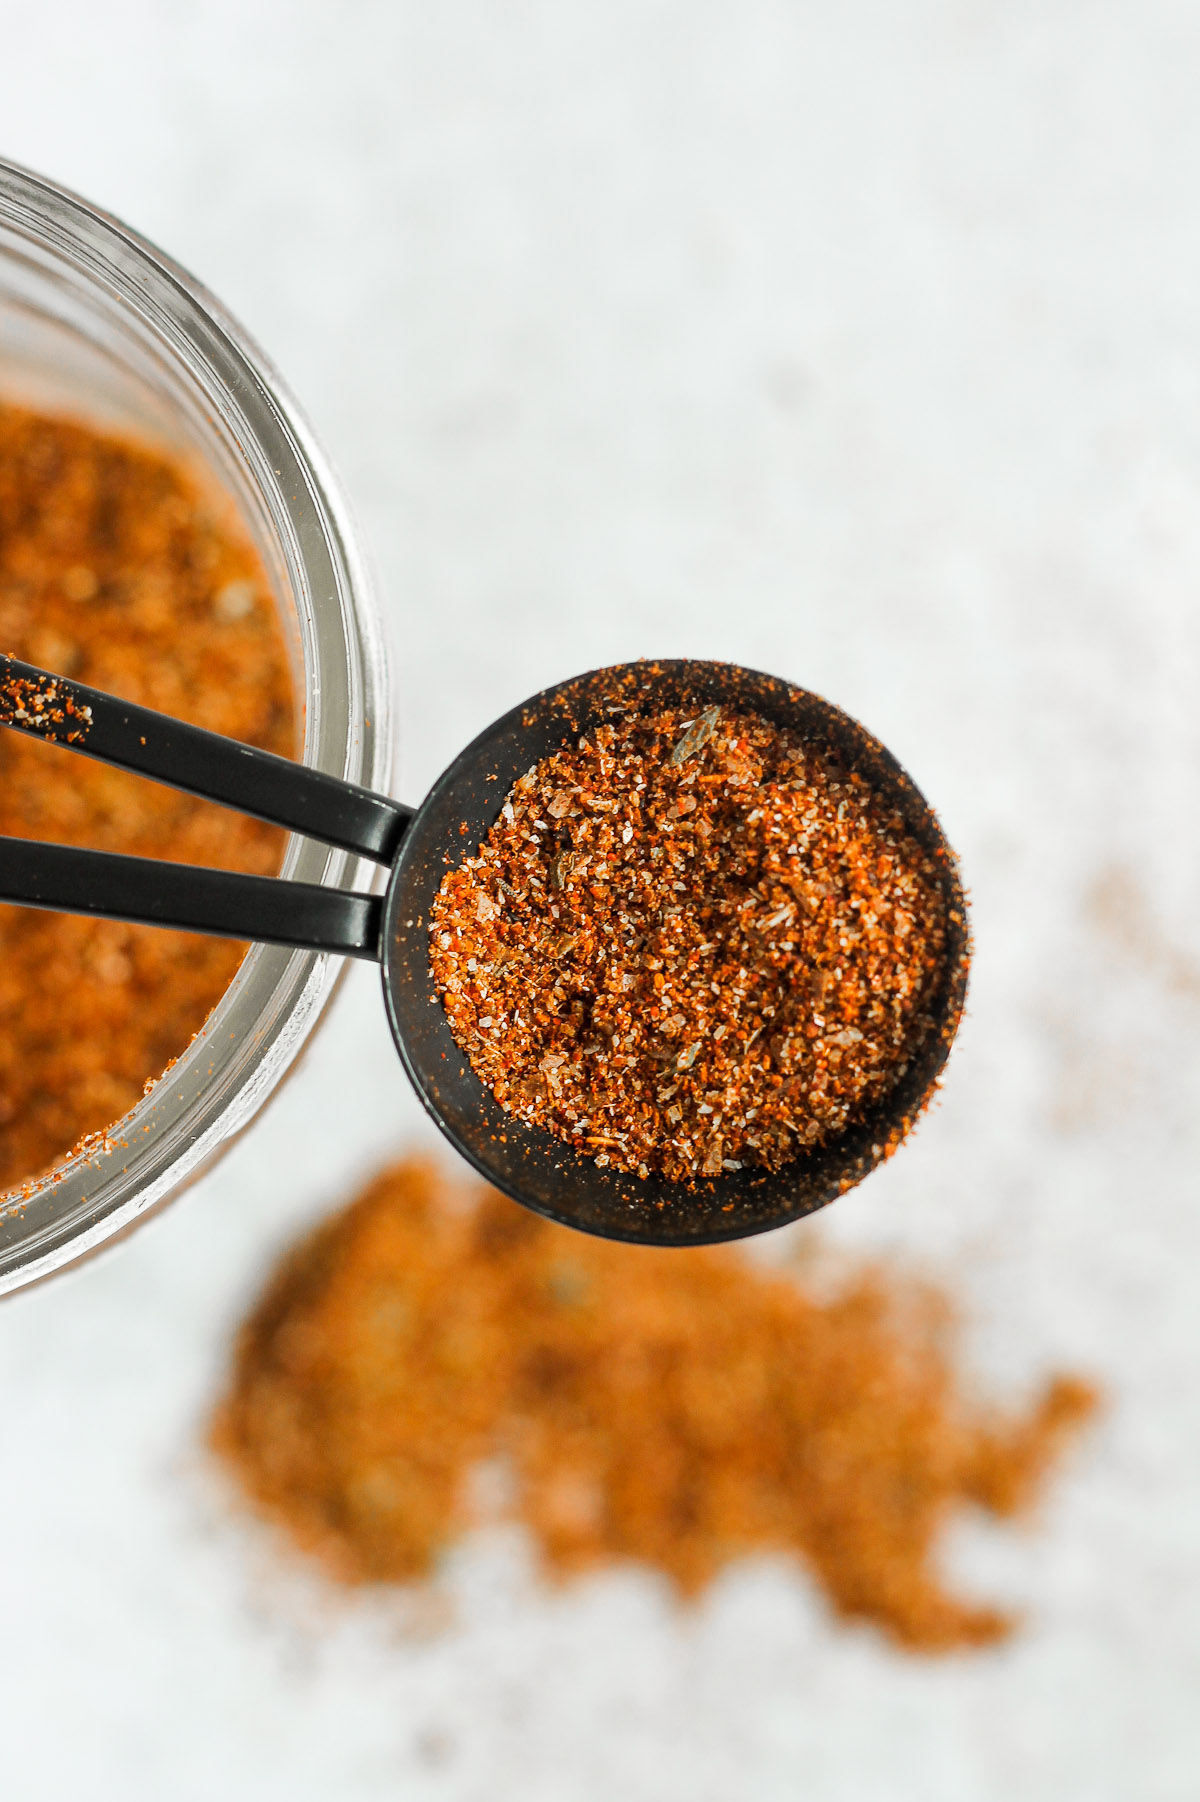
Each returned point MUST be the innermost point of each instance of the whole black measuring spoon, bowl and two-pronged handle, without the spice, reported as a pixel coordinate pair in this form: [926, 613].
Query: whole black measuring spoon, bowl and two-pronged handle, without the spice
[394, 929]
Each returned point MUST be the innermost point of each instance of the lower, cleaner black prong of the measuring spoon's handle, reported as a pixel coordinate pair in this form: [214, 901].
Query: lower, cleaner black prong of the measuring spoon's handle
[192, 898]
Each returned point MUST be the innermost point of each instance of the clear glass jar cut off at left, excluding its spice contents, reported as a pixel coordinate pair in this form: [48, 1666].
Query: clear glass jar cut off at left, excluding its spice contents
[98, 325]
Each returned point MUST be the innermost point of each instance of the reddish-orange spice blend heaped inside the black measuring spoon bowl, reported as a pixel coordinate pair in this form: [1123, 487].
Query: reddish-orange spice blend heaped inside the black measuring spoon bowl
[691, 943]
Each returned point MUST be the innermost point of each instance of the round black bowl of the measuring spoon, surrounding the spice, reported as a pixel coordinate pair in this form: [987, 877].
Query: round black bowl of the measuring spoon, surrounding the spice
[529, 1163]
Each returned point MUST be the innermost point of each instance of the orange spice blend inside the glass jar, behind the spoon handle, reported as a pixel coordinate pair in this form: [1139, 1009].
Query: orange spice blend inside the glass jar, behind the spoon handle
[116, 570]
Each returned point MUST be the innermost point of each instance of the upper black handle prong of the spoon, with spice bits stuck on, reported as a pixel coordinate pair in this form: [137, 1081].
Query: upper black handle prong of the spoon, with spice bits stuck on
[201, 763]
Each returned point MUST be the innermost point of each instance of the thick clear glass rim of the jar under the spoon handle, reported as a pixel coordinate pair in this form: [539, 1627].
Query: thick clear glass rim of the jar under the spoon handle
[262, 1023]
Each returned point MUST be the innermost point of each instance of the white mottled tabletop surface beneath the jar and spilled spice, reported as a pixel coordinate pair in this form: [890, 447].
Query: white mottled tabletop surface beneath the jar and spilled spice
[860, 343]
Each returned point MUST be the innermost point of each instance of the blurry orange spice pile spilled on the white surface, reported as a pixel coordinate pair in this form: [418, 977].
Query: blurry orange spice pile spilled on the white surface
[682, 1408]
